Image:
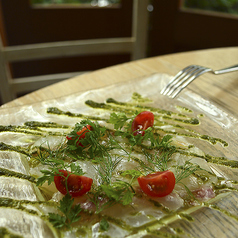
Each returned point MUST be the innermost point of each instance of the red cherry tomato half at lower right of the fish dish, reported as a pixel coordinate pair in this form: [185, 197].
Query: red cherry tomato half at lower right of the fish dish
[157, 184]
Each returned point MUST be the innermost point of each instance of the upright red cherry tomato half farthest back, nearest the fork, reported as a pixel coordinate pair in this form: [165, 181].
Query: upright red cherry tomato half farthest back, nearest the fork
[141, 122]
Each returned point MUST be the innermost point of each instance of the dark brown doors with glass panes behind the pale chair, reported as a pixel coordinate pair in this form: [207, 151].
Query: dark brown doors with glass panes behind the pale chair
[173, 26]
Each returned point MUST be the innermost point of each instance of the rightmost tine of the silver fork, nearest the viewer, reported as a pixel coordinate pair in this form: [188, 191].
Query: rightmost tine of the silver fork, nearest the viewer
[189, 79]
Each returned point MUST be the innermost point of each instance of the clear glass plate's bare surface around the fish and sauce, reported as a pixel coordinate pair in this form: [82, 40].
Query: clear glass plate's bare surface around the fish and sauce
[214, 122]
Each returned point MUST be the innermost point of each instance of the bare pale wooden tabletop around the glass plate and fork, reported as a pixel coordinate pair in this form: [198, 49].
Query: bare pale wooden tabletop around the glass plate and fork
[221, 89]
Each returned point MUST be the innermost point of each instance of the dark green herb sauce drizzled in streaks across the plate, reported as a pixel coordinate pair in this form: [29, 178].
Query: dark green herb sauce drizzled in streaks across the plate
[130, 109]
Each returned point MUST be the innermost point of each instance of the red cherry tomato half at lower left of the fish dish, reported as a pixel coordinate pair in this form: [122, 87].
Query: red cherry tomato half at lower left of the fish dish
[77, 185]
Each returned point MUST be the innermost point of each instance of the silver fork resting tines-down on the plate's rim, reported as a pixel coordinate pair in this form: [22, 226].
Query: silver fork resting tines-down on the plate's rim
[184, 77]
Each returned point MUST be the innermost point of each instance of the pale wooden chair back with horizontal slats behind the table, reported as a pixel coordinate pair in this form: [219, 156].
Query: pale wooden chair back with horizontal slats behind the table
[11, 87]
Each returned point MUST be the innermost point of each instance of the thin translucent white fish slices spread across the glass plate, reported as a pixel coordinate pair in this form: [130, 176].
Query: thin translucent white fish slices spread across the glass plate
[21, 189]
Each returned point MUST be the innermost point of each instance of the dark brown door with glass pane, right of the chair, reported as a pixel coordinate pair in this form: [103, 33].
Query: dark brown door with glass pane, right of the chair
[184, 25]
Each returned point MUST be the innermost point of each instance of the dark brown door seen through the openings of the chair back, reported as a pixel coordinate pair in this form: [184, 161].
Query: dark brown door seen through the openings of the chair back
[39, 21]
